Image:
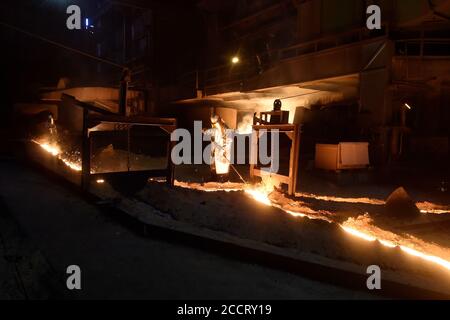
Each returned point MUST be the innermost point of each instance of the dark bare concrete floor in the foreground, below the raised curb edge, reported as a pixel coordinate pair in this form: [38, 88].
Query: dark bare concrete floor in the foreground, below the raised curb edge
[46, 226]
